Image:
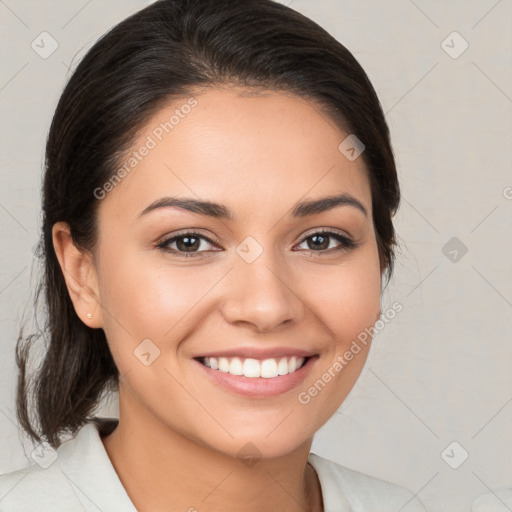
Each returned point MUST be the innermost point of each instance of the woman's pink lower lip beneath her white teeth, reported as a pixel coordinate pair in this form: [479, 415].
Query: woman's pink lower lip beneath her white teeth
[259, 387]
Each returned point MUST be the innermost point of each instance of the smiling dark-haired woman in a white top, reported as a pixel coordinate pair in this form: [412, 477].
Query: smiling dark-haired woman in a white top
[218, 200]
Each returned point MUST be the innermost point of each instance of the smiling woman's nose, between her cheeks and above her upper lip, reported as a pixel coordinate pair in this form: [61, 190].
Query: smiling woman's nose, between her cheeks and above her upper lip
[262, 296]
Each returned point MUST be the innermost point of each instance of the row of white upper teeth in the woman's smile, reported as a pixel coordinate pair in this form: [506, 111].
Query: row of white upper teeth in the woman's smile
[253, 368]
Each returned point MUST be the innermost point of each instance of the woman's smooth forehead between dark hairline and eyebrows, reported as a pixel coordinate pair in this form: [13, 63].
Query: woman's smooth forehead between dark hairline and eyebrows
[266, 150]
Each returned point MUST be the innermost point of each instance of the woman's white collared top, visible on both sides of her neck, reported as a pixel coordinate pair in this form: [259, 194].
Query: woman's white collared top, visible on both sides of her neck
[80, 477]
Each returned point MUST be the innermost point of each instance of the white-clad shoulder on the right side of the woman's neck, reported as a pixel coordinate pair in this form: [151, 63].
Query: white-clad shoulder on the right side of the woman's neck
[360, 492]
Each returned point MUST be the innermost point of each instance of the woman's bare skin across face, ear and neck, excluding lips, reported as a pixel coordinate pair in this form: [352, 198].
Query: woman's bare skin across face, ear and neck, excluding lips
[179, 434]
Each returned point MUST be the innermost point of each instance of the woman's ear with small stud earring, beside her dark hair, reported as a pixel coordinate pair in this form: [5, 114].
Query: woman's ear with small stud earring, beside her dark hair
[79, 274]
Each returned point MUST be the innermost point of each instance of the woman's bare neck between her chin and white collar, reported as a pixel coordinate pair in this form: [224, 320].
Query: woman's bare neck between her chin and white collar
[162, 469]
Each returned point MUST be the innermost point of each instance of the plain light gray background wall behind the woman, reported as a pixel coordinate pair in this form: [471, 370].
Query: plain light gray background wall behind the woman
[441, 370]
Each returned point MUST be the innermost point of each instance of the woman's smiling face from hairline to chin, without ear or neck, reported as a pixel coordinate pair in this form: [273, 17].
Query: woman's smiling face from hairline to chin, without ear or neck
[254, 285]
